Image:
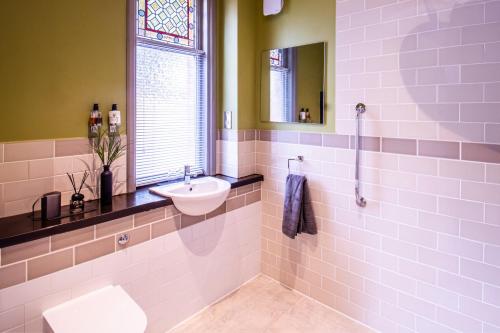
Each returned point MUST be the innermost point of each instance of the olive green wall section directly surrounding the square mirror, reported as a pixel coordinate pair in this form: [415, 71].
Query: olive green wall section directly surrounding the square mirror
[300, 22]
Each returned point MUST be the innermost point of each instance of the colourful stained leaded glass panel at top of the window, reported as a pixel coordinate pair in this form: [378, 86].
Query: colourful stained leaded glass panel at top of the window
[169, 21]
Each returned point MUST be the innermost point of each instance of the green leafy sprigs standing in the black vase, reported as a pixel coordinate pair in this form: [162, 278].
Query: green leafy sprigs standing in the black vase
[109, 148]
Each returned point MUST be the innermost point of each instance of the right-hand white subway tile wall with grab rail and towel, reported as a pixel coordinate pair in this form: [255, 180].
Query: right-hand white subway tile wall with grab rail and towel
[423, 256]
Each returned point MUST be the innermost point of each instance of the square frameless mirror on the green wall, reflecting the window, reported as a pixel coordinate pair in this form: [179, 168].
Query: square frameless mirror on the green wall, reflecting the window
[292, 84]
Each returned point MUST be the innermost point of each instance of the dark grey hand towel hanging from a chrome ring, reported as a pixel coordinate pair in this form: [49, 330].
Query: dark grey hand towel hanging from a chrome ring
[298, 215]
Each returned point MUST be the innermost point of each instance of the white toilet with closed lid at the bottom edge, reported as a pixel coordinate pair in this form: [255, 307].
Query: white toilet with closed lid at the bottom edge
[106, 310]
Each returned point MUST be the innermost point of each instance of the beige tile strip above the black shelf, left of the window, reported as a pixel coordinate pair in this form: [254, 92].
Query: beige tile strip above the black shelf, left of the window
[31, 168]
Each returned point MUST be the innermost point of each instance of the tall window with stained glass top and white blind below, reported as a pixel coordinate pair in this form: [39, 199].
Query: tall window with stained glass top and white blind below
[172, 117]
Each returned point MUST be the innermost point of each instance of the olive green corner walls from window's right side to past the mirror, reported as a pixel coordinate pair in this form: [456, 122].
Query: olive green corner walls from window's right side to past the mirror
[245, 32]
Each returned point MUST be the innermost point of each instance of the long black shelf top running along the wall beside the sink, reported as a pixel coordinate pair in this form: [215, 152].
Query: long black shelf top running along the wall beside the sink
[22, 228]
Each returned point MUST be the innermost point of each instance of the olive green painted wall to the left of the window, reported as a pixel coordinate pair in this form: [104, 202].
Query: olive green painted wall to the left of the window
[59, 57]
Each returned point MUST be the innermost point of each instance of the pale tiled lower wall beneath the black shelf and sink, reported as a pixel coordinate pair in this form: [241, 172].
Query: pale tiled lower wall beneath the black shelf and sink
[172, 276]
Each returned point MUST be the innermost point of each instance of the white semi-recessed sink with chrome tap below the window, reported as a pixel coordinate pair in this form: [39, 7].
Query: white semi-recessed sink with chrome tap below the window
[200, 197]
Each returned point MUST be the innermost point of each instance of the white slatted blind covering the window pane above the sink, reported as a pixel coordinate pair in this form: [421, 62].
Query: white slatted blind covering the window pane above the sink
[170, 113]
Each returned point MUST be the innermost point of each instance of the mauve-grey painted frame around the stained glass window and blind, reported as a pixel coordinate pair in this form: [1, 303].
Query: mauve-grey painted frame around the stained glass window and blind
[205, 42]
